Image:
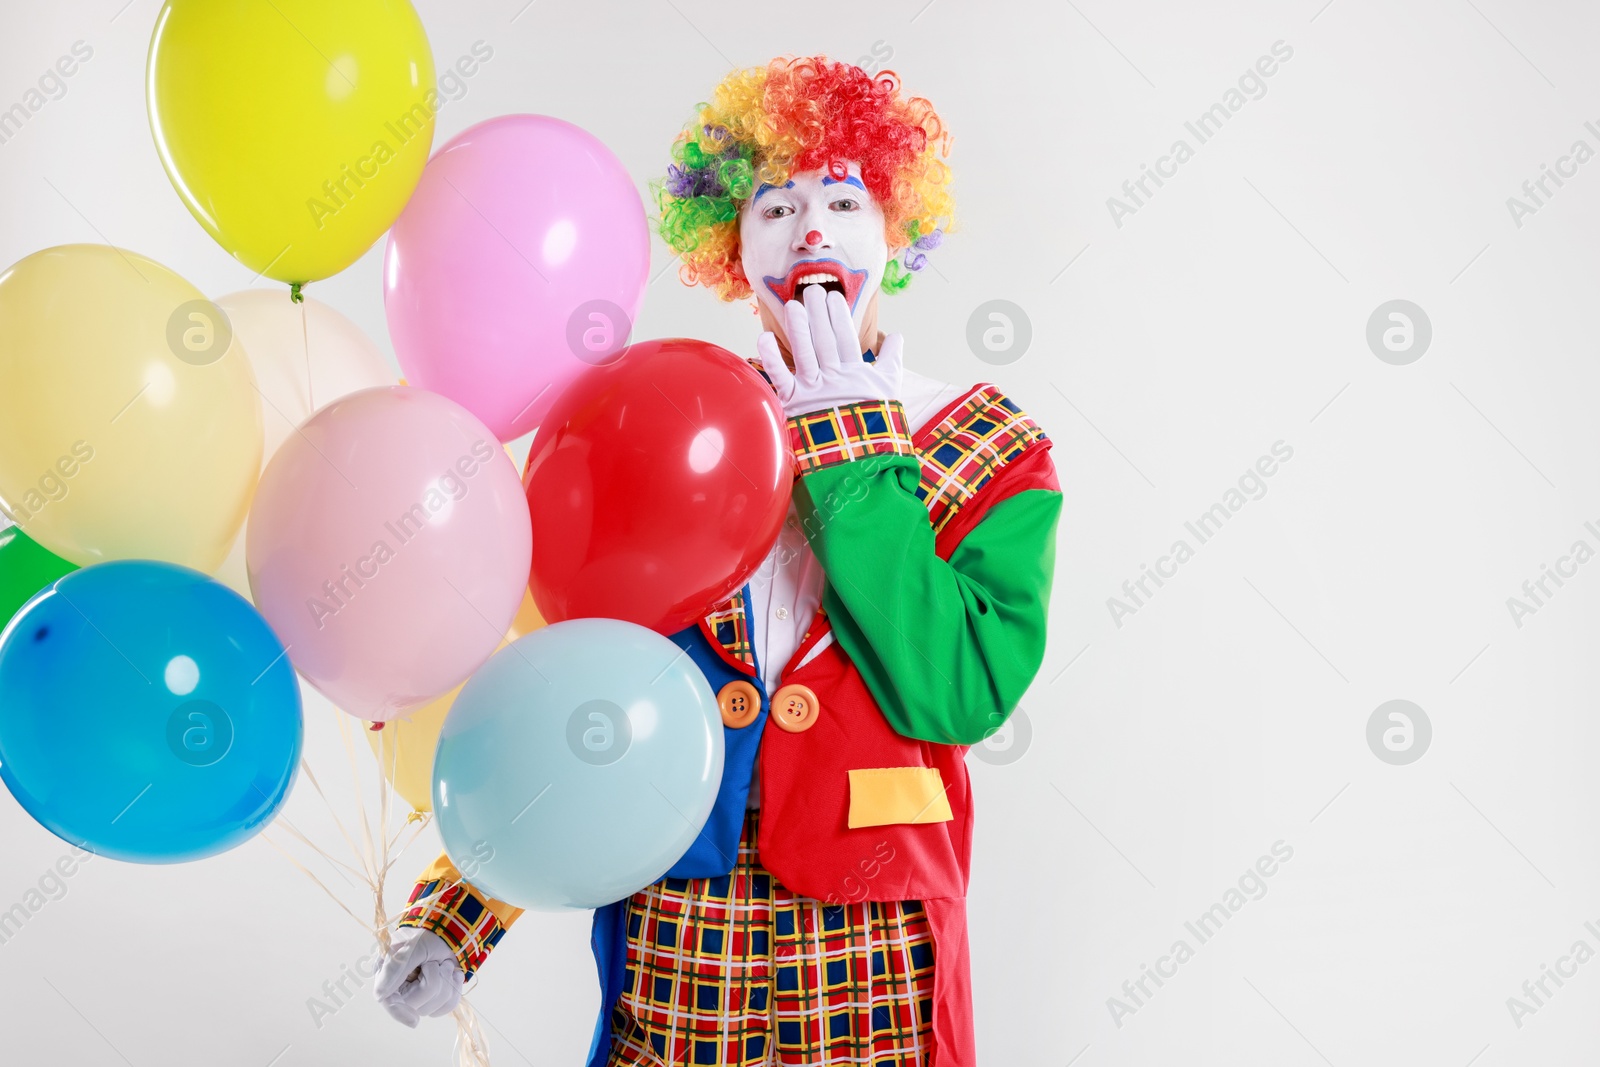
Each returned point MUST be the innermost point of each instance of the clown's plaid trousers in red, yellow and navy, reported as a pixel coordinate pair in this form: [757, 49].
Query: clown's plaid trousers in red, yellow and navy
[742, 972]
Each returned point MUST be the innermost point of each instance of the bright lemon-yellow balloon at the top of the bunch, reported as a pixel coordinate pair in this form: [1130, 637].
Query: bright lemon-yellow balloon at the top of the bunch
[294, 130]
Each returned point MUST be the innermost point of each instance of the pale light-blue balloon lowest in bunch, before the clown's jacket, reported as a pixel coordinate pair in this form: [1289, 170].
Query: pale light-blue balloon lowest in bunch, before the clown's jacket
[578, 765]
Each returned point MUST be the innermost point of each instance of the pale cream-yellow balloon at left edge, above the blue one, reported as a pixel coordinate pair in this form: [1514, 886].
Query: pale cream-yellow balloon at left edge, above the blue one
[130, 425]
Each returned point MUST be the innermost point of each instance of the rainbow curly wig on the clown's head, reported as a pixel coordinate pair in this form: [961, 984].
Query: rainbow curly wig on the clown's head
[793, 116]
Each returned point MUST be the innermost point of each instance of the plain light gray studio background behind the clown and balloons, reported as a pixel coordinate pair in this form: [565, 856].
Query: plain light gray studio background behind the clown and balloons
[1167, 356]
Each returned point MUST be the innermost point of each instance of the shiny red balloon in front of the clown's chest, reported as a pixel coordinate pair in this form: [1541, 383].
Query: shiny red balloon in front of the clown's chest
[657, 484]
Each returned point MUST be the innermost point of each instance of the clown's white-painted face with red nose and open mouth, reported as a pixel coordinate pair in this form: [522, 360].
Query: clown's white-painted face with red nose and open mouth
[814, 230]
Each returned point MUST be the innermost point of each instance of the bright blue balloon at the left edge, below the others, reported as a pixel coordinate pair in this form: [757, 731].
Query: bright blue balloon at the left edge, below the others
[148, 713]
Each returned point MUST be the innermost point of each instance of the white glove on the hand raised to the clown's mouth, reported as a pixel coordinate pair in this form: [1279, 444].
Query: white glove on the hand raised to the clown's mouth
[830, 370]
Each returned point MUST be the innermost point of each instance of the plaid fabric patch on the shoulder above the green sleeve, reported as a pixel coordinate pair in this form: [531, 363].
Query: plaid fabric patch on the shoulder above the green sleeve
[967, 447]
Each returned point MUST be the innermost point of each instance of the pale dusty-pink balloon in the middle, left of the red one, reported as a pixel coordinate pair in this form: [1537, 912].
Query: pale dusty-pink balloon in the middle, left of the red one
[390, 548]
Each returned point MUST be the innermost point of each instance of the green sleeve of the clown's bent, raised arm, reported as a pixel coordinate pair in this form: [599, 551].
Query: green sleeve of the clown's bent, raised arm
[948, 649]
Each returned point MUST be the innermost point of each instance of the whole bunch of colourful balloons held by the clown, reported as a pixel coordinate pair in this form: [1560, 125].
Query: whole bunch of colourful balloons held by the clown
[209, 498]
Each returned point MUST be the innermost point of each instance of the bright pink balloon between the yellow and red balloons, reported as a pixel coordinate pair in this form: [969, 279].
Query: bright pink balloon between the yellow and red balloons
[519, 263]
